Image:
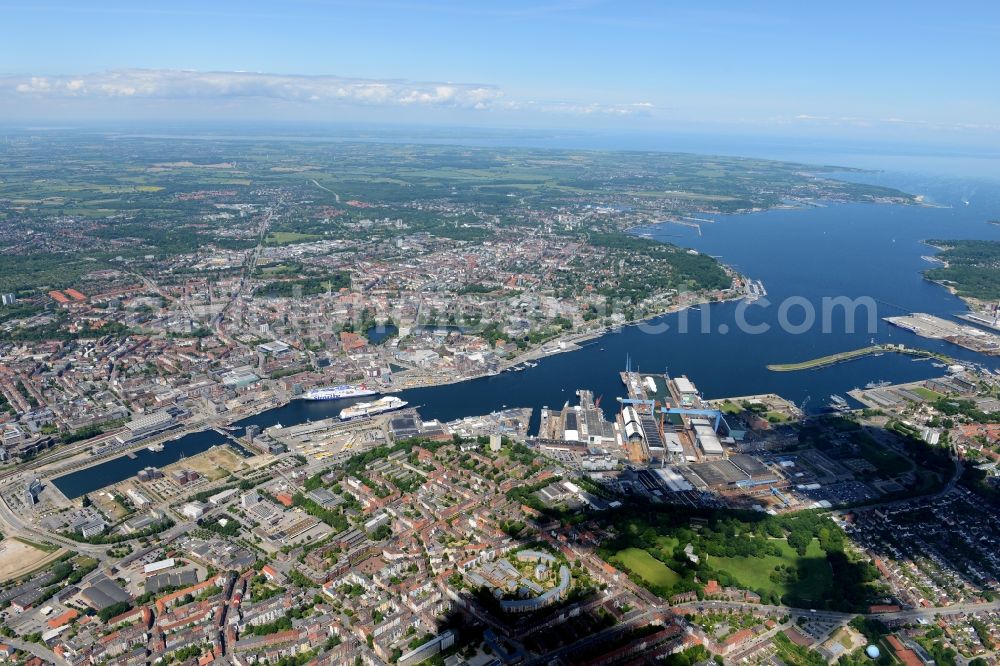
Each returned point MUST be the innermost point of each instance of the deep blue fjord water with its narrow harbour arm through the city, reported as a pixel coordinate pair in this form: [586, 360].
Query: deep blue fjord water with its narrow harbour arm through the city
[852, 250]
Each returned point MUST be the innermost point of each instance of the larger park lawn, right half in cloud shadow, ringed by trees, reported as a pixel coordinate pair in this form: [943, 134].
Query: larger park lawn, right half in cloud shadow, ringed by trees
[815, 576]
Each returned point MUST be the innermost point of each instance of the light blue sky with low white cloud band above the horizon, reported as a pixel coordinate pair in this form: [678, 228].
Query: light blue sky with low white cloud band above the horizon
[920, 71]
